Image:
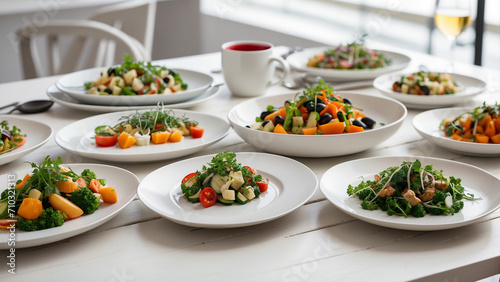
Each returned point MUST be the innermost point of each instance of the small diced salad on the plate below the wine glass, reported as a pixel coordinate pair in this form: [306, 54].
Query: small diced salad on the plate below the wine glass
[426, 83]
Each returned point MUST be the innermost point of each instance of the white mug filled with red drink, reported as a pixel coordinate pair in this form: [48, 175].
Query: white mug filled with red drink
[248, 67]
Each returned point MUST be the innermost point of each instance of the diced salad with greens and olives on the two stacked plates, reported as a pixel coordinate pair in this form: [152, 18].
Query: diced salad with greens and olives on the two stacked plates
[136, 78]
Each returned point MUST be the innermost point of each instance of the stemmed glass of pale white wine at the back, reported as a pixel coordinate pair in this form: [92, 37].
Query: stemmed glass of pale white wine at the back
[452, 17]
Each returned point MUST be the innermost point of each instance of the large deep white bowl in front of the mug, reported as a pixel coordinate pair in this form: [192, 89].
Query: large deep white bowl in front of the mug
[382, 110]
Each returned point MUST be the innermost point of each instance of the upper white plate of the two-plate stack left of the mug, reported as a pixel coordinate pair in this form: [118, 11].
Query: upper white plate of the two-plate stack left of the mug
[72, 84]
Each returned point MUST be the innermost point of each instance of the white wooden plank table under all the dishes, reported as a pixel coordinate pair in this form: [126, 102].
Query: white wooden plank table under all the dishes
[317, 242]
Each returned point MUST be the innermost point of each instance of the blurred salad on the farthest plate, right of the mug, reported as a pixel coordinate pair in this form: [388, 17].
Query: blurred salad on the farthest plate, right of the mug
[350, 56]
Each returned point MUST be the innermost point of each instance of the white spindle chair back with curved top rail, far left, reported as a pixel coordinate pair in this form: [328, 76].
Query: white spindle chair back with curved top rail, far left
[48, 40]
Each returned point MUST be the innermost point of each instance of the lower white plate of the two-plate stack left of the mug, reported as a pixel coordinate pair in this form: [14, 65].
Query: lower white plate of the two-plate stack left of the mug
[64, 100]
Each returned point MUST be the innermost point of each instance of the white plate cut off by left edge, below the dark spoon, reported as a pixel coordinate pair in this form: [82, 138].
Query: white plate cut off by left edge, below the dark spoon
[37, 134]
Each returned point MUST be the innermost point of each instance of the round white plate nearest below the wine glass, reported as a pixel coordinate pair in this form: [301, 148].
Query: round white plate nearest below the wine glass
[469, 87]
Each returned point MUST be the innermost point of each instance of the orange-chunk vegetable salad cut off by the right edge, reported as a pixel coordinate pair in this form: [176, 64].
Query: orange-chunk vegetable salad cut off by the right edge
[482, 125]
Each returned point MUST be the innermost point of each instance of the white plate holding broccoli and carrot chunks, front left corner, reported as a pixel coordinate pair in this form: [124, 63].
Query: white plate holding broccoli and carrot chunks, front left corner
[124, 181]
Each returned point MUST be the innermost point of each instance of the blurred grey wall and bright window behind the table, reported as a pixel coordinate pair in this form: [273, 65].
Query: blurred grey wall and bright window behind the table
[189, 27]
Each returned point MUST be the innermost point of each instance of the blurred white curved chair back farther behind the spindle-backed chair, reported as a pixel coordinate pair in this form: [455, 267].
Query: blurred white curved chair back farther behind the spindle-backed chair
[135, 18]
